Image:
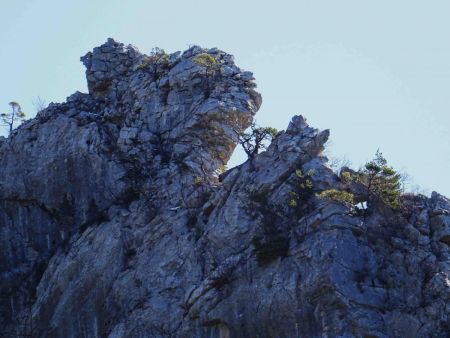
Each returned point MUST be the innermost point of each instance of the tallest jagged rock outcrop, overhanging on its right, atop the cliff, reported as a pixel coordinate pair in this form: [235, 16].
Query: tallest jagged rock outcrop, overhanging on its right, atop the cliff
[175, 94]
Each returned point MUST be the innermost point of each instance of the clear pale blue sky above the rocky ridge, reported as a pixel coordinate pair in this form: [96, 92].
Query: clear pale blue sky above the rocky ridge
[377, 73]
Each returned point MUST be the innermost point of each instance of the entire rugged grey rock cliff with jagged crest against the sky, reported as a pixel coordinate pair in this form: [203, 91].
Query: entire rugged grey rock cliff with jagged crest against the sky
[117, 221]
